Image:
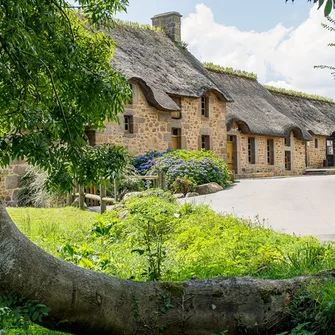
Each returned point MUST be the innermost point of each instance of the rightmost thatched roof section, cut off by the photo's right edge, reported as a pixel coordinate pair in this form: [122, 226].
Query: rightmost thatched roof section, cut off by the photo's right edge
[318, 117]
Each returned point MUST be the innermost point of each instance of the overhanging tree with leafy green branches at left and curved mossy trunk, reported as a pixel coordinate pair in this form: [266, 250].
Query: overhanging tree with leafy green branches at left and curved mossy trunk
[55, 79]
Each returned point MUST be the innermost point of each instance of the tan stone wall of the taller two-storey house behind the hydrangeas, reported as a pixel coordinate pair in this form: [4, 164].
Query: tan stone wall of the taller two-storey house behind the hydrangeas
[152, 129]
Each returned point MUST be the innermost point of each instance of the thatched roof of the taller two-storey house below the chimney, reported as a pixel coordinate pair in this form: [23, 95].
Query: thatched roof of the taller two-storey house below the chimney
[160, 66]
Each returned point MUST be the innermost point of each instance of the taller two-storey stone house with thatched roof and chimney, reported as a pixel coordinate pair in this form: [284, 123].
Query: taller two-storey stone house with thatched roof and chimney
[176, 104]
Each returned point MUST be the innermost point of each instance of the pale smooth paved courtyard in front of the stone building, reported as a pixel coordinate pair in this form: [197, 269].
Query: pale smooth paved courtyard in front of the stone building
[301, 205]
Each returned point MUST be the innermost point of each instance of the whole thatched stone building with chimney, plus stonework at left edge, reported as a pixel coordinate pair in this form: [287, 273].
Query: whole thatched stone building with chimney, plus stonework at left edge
[180, 104]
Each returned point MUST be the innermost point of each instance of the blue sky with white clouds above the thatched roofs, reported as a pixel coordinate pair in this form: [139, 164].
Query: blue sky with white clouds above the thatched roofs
[279, 42]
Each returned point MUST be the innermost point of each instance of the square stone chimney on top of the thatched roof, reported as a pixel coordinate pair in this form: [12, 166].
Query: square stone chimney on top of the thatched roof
[170, 22]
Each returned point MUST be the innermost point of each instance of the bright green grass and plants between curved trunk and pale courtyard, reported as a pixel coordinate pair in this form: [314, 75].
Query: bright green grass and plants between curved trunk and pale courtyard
[157, 238]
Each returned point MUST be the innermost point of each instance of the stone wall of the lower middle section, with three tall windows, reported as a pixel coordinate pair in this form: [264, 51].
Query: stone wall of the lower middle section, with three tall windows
[261, 168]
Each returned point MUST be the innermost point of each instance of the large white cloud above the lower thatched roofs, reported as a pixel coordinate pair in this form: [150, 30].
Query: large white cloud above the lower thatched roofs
[283, 57]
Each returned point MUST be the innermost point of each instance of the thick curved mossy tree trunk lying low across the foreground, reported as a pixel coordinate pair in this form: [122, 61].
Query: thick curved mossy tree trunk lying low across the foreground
[84, 302]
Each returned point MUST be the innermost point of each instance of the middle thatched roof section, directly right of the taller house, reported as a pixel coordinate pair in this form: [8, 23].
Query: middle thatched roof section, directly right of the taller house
[253, 108]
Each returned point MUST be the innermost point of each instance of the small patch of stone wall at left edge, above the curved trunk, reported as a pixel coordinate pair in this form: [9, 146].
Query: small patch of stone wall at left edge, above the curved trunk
[10, 182]
